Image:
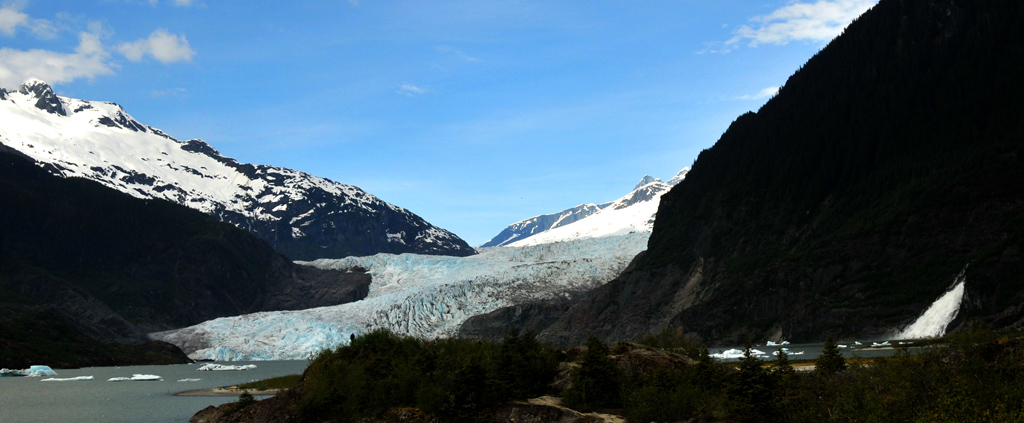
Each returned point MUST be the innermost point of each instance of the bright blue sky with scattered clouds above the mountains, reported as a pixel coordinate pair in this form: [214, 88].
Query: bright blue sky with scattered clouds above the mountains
[472, 114]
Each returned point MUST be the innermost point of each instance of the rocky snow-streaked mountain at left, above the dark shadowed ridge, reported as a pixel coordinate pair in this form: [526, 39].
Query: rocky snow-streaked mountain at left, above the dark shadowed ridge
[302, 216]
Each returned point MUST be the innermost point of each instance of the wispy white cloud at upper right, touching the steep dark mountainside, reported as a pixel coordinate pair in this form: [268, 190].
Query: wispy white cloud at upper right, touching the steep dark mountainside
[821, 21]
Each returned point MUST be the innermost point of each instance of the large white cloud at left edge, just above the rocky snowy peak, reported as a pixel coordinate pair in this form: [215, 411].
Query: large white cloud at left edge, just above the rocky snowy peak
[89, 61]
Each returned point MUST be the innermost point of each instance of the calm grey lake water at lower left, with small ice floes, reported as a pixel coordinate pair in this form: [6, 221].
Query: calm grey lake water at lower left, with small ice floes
[30, 400]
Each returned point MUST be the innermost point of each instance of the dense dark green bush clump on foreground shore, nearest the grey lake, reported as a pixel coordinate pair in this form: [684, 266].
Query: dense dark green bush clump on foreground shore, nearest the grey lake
[456, 380]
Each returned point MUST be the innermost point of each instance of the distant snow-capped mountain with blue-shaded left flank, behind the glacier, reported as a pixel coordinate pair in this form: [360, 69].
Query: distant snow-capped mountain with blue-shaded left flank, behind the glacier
[633, 214]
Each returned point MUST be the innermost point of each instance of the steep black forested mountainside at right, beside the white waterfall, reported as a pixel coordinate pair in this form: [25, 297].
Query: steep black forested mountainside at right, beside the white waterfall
[846, 205]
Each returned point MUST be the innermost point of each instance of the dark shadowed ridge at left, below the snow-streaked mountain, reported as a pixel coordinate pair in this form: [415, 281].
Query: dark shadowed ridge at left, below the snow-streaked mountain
[117, 268]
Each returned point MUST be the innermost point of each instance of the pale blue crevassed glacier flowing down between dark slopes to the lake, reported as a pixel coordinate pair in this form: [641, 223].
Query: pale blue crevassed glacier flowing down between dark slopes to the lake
[418, 295]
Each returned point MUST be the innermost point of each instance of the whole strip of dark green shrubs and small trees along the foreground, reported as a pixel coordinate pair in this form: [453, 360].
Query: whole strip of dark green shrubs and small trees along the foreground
[972, 377]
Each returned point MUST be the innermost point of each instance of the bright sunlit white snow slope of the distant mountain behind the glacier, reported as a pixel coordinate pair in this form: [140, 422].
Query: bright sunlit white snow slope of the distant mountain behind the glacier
[633, 214]
